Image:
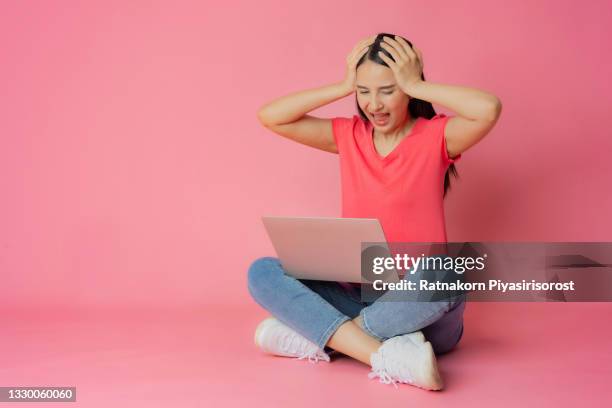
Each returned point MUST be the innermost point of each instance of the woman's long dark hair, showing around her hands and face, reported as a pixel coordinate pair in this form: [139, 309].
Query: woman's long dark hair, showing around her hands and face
[416, 107]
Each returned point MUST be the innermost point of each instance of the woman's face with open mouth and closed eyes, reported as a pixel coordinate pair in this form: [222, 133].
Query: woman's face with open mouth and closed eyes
[379, 97]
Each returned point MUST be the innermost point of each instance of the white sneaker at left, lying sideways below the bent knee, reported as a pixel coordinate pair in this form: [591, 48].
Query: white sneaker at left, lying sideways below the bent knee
[274, 337]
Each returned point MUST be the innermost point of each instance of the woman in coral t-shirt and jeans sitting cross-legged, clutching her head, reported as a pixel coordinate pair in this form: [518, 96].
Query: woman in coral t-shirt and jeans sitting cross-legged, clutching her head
[395, 159]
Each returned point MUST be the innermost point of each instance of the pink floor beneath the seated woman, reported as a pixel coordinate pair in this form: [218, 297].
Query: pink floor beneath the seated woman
[531, 354]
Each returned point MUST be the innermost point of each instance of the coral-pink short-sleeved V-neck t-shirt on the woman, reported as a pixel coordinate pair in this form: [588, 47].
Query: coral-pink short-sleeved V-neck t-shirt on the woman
[403, 190]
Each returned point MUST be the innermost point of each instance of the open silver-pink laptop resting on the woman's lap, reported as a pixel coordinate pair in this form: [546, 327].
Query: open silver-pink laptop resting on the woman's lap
[321, 248]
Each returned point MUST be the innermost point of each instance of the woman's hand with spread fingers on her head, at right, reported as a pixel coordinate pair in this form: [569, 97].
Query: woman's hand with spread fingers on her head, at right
[408, 64]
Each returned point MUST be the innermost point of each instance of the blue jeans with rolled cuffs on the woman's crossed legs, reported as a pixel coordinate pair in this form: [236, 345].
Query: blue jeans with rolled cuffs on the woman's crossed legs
[316, 309]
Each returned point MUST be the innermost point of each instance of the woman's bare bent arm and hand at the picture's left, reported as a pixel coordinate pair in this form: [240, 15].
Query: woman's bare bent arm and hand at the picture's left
[287, 116]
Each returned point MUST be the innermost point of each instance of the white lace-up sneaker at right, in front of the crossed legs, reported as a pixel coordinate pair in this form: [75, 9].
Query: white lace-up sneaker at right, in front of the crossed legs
[400, 360]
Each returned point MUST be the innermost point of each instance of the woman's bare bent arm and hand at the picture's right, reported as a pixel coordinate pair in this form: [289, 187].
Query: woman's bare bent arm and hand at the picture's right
[478, 110]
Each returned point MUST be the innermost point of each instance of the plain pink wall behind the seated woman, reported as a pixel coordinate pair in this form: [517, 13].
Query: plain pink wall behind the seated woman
[134, 172]
